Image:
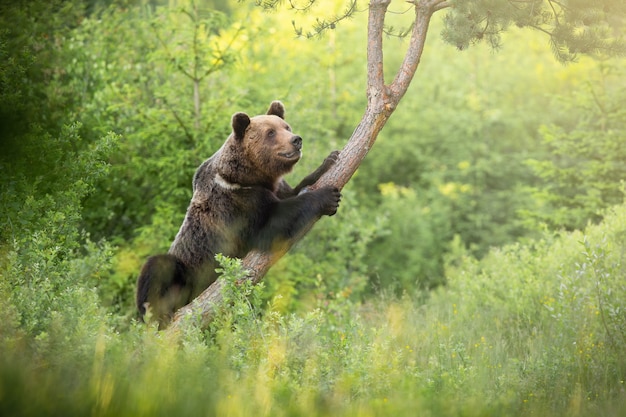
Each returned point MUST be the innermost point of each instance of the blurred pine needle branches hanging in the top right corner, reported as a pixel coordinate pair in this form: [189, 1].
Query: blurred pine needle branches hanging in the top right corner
[573, 27]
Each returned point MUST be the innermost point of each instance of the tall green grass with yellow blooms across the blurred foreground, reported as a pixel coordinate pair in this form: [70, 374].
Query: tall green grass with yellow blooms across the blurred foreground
[531, 329]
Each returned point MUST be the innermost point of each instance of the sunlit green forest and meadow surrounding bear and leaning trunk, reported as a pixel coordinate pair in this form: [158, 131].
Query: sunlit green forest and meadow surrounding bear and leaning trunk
[475, 267]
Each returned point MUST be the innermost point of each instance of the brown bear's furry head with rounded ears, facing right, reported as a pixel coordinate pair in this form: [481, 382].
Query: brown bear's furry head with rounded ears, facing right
[269, 148]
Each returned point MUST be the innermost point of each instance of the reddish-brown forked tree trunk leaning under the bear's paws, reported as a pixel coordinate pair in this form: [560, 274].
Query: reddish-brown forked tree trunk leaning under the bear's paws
[382, 101]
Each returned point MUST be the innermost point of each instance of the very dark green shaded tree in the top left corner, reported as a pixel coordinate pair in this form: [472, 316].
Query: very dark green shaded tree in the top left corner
[30, 40]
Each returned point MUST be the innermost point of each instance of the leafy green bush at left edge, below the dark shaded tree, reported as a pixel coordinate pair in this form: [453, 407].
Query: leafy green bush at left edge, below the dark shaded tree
[51, 265]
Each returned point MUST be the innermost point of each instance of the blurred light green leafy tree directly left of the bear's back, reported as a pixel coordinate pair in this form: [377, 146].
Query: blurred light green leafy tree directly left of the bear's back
[164, 94]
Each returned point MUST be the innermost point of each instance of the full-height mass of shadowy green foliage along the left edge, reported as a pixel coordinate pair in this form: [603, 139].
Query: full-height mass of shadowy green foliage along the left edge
[49, 265]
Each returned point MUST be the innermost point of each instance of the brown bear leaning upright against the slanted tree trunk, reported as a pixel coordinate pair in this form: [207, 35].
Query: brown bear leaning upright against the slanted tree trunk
[240, 203]
